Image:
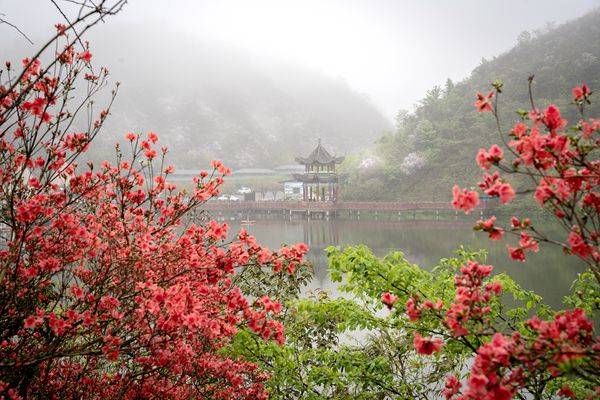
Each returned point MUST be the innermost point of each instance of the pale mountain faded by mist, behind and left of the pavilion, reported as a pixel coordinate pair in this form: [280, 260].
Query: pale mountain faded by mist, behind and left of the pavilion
[210, 101]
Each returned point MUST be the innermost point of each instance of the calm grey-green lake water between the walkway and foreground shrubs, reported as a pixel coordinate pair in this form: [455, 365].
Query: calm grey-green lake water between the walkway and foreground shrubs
[548, 273]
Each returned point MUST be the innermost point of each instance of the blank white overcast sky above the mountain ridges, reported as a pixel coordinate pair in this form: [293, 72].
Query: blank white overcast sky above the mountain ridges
[393, 51]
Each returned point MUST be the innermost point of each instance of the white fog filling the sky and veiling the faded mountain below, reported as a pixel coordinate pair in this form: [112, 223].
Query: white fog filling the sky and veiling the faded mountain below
[257, 82]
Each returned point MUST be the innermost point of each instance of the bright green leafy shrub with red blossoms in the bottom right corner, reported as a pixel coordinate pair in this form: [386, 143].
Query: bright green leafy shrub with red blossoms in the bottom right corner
[454, 316]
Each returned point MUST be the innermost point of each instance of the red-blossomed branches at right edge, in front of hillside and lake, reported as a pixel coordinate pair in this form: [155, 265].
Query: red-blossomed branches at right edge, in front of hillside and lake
[561, 168]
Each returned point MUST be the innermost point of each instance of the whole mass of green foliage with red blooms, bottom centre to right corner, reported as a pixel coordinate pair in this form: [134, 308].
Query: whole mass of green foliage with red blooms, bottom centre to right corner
[448, 322]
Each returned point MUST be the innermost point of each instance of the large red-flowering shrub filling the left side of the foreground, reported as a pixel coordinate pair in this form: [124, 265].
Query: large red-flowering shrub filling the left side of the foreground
[110, 289]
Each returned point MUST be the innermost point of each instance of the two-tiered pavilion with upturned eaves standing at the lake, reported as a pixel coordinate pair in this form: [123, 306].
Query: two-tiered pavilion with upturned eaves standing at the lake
[320, 181]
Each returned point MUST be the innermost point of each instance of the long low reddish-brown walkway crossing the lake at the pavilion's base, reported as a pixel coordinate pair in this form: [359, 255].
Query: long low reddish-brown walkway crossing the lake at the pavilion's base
[328, 207]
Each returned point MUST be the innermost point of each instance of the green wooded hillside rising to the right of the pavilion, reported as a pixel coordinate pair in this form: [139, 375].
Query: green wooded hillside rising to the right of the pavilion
[435, 146]
